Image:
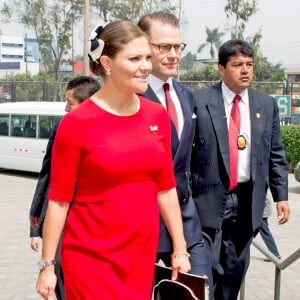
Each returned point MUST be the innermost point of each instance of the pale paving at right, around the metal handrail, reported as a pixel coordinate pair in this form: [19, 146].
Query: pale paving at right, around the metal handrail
[261, 274]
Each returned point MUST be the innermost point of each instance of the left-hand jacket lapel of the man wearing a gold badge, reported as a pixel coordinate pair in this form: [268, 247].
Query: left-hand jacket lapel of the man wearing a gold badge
[218, 116]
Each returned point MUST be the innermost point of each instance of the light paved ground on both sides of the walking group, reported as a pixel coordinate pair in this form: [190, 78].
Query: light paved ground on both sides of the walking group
[18, 270]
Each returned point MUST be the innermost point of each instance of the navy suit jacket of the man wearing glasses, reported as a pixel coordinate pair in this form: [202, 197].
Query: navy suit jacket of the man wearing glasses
[181, 152]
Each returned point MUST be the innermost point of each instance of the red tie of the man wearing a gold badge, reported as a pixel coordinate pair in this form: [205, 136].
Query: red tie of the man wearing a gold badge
[234, 131]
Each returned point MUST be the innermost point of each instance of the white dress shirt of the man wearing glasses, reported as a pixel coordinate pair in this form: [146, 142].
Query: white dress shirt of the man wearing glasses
[157, 86]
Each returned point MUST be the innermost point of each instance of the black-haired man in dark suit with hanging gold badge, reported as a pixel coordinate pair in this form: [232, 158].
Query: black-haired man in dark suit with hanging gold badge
[237, 154]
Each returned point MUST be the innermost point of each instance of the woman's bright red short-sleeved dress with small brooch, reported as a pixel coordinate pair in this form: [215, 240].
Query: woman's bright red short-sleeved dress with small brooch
[119, 164]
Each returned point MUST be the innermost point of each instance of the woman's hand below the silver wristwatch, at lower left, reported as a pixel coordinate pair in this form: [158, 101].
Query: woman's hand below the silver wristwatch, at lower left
[46, 283]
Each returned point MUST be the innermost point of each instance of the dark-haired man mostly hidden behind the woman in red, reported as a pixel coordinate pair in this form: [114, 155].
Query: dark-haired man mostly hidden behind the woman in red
[78, 89]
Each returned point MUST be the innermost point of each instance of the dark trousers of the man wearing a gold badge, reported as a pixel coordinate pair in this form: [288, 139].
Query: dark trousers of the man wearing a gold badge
[229, 247]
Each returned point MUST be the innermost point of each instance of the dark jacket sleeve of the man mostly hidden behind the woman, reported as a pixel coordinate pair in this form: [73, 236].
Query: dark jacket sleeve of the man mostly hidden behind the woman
[40, 200]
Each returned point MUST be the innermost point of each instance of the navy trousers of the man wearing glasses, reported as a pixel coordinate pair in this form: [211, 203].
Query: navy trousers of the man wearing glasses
[200, 262]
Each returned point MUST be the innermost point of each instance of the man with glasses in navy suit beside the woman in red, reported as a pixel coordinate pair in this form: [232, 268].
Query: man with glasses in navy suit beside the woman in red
[166, 46]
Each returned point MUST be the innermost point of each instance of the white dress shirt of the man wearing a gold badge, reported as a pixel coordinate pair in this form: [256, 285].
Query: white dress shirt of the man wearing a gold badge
[245, 129]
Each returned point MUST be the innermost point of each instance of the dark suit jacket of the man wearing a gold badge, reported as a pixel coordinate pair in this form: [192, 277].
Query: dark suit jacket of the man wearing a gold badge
[210, 158]
